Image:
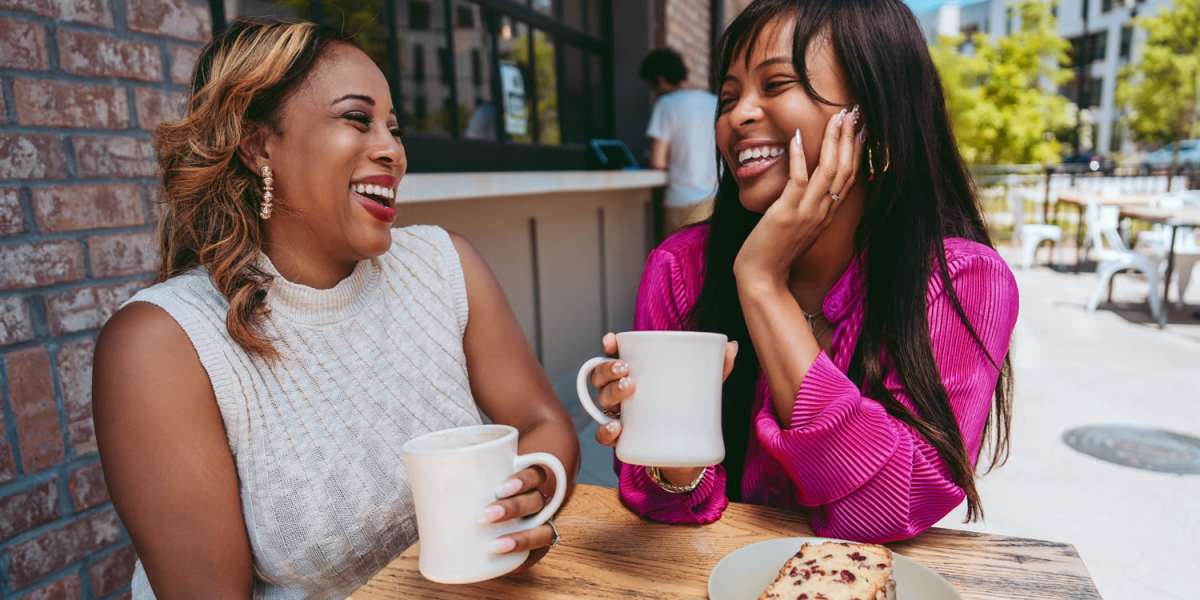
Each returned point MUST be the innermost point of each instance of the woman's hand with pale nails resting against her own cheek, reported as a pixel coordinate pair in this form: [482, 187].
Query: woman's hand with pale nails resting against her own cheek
[807, 206]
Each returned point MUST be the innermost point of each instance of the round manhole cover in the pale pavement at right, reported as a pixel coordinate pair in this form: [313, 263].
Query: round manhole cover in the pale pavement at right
[1139, 448]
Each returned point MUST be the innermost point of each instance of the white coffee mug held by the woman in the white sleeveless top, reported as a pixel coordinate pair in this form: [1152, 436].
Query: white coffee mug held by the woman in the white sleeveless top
[454, 476]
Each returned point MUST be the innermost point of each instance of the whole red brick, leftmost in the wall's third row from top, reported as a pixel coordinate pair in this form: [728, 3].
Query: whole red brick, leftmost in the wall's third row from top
[70, 105]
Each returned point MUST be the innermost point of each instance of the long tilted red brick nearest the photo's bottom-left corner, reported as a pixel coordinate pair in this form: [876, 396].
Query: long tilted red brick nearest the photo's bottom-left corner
[59, 548]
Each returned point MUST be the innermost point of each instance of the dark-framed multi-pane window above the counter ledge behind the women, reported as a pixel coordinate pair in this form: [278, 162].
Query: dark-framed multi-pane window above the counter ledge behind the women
[520, 85]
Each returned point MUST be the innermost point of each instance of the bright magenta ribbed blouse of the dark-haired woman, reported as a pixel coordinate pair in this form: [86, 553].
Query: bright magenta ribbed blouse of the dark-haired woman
[865, 476]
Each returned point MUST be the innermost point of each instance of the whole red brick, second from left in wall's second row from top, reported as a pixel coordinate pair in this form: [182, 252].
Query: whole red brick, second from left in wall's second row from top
[99, 55]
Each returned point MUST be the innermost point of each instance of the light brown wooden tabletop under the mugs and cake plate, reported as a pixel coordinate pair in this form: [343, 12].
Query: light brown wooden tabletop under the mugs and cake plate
[609, 554]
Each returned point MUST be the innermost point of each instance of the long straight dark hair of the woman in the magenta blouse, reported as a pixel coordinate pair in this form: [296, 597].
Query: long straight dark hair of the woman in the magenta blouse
[925, 196]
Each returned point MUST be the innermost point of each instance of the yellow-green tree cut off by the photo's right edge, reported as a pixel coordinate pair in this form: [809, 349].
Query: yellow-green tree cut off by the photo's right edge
[1162, 91]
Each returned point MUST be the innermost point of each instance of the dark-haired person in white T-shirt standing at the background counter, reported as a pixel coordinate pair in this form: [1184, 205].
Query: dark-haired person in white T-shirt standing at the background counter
[681, 140]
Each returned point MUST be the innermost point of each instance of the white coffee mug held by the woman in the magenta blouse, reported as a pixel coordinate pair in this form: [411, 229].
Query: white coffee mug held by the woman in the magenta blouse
[674, 419]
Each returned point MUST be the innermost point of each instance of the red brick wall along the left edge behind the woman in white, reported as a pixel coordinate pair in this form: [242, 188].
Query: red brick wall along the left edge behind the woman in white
[82, 86]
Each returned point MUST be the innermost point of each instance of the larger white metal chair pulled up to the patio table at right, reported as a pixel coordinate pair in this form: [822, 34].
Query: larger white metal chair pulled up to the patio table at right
[1115, 257]
